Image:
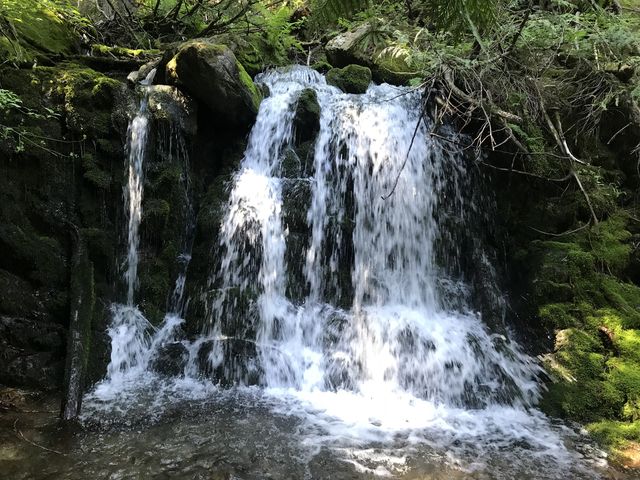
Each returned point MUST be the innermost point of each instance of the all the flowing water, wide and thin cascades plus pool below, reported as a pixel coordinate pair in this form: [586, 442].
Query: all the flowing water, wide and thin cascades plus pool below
[364, 354]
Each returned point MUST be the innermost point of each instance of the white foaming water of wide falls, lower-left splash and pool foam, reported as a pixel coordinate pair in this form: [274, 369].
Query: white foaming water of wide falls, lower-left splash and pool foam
[401, 366]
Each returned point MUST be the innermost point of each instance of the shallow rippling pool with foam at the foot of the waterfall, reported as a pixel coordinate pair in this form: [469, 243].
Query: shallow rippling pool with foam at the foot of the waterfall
[247, 434]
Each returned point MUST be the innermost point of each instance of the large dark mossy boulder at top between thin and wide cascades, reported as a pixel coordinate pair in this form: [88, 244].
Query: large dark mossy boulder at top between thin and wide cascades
[213, 76]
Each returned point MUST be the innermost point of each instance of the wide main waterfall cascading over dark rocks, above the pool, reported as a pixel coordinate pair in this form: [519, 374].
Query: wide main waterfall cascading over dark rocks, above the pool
[375, 187]
